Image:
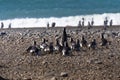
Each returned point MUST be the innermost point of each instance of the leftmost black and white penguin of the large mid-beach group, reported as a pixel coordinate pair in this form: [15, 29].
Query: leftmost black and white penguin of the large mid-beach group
[34, 50]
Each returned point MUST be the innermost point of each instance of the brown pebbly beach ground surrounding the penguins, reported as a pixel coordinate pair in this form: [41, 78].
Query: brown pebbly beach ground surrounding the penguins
[100, 64]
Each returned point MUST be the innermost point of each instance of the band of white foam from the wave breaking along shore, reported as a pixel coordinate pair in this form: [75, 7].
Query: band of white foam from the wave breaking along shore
[63, 21]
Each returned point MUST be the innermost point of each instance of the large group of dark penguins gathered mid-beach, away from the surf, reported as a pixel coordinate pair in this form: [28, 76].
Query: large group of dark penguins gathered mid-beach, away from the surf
[63, 46]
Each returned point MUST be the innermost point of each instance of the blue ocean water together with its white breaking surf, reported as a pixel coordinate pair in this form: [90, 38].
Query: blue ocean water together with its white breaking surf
[37, 13]
